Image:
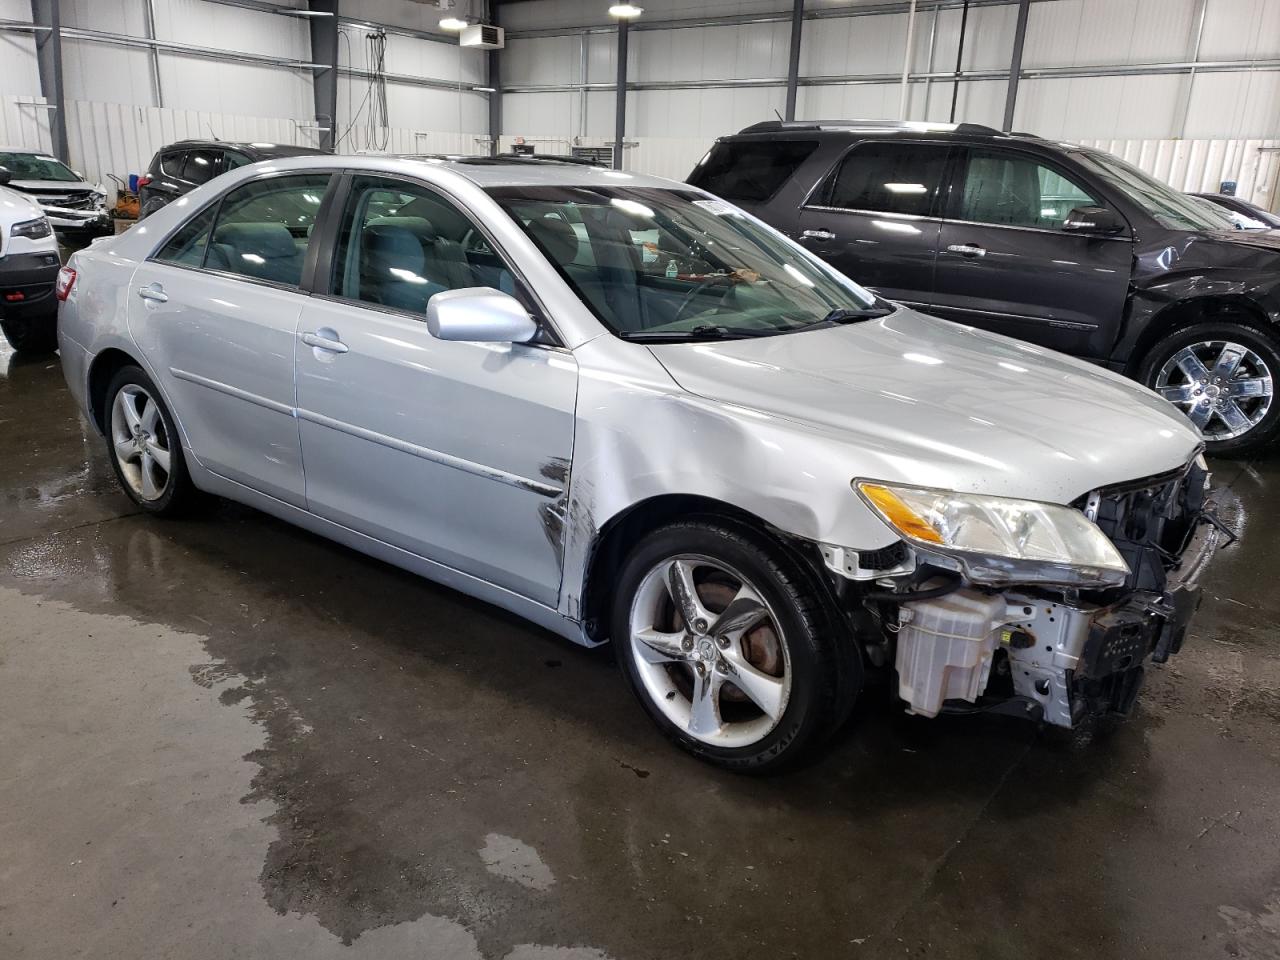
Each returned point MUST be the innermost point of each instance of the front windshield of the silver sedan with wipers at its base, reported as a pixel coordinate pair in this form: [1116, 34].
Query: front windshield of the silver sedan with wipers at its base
[676, 266]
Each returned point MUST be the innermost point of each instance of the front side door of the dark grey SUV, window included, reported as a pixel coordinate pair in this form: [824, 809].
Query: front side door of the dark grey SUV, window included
[1007, 264]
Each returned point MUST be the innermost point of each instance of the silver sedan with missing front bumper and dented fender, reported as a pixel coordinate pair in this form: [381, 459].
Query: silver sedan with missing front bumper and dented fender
[627, 410]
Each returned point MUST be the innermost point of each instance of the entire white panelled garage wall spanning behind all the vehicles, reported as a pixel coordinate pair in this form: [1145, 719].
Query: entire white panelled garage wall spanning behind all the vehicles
[1195, 125]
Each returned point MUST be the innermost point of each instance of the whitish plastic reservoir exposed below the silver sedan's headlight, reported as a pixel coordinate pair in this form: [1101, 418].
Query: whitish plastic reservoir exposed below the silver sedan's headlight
[945, 648]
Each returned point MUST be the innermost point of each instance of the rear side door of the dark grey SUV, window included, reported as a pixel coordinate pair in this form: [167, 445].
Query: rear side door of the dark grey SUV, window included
[875, 218]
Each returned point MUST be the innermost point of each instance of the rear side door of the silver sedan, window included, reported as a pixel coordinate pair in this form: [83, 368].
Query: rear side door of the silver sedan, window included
[216, 312]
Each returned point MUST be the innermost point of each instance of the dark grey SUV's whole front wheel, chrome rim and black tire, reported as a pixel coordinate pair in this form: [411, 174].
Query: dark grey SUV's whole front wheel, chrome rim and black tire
[1222, 376]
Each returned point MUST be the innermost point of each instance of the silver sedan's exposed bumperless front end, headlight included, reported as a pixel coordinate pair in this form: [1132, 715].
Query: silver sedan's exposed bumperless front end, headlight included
[970, 632]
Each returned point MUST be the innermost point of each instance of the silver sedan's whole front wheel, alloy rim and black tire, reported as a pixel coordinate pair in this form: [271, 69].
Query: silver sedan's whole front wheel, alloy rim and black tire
[729, 648]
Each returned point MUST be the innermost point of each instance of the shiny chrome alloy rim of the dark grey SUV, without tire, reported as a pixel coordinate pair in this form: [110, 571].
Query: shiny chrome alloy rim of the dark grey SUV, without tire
[1223, 387]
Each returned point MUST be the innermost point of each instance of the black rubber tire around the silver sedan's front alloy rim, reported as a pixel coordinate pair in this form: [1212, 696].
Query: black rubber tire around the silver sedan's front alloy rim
[825, 668]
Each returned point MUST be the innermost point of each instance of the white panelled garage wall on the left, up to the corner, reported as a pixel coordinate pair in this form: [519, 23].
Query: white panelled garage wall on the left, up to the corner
[116, 124]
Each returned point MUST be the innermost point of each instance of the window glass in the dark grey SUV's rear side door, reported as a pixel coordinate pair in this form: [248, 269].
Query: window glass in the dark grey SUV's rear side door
[888, 179]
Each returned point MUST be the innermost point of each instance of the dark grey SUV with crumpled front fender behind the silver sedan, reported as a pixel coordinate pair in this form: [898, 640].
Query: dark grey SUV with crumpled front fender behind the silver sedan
[1059, 245]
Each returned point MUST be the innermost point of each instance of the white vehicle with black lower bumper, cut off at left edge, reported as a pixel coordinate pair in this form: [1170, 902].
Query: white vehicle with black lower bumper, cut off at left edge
[29, 271]
